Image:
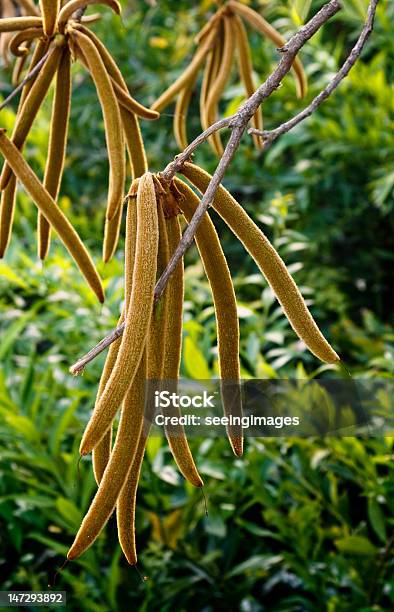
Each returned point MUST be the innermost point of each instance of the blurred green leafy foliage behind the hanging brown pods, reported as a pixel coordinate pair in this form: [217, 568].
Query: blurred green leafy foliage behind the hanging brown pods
[294, 524]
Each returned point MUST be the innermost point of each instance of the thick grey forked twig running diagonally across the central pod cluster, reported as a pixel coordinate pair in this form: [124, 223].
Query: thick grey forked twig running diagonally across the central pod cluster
[237, 123]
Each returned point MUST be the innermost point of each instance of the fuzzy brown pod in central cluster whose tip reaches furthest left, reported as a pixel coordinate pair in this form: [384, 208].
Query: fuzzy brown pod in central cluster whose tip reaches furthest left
[118, 467]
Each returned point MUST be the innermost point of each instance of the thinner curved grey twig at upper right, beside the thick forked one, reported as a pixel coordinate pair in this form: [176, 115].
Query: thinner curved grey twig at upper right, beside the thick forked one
[270, 135]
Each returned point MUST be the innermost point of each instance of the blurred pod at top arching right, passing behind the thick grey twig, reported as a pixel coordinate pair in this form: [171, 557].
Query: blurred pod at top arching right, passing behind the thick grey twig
[261, 25]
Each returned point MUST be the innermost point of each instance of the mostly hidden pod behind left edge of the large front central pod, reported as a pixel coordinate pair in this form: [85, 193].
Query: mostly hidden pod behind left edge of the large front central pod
[101, 451]
